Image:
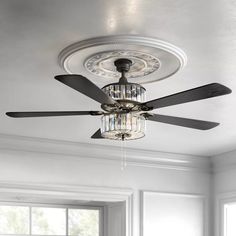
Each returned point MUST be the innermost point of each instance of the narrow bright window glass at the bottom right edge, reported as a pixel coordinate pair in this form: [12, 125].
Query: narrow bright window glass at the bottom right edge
[229, 219]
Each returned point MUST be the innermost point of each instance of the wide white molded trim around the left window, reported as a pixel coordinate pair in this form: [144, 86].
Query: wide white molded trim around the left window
[19, 192]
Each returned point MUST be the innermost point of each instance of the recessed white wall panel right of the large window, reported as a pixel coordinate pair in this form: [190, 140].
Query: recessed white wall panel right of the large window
[173, 214]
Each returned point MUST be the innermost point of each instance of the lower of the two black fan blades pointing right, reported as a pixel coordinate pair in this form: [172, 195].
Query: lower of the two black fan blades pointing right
[185, 122]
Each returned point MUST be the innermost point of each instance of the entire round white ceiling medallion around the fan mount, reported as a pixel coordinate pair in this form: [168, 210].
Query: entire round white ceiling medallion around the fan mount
[152, 59]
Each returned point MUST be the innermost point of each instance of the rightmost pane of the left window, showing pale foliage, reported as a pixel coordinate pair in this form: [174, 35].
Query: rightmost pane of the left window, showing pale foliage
[83, 222]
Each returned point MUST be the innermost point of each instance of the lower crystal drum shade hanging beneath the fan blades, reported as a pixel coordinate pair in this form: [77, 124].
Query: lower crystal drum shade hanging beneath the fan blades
[123, 126]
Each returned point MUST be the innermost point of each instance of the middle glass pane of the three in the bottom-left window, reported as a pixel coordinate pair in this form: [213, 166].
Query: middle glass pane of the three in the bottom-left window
[48, 221]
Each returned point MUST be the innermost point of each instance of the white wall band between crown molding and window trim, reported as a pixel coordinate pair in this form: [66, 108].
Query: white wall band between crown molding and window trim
[32, 167]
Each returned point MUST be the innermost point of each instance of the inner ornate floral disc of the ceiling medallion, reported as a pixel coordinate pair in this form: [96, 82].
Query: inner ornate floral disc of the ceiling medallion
[102, 64]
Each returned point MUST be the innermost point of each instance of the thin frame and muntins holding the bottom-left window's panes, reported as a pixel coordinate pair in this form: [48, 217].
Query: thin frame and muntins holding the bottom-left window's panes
[30, 205]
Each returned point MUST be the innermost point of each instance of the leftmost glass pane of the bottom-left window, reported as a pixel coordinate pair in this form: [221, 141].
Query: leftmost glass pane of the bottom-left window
[14, 220]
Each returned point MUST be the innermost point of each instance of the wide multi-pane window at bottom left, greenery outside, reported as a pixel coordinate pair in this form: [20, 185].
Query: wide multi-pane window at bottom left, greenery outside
[49, 220]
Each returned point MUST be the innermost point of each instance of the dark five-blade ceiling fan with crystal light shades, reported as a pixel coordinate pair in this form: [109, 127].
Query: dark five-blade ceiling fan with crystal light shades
[125, 110]
